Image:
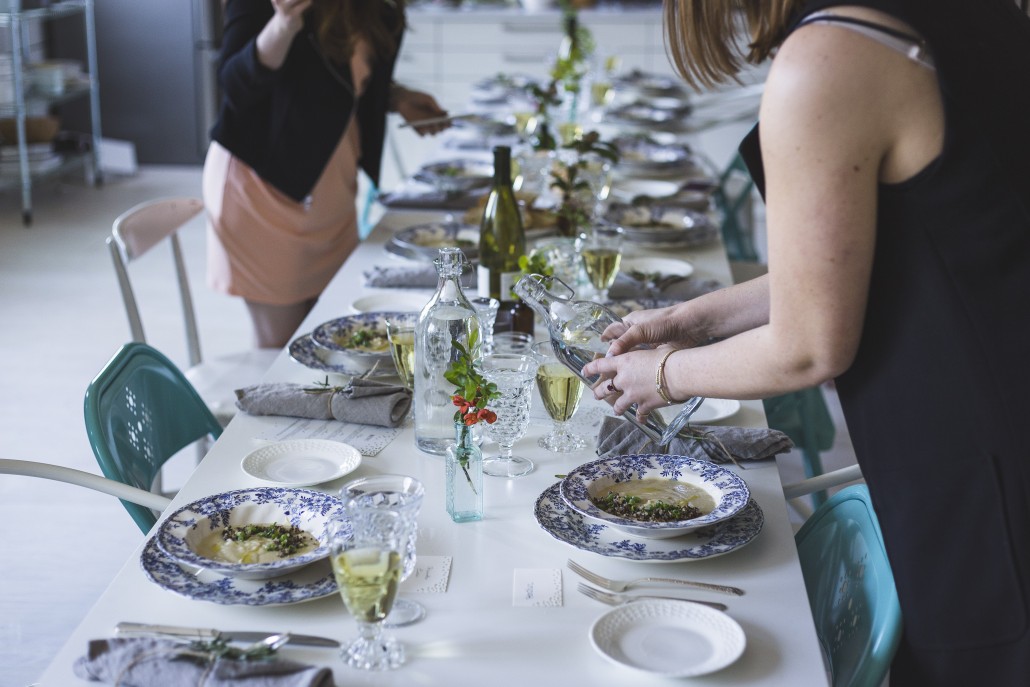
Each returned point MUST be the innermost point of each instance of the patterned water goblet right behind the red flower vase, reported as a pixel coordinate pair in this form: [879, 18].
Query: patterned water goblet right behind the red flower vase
[514, 375]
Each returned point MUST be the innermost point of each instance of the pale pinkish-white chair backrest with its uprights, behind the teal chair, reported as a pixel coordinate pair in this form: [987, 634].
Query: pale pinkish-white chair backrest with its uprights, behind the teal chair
[136, 232]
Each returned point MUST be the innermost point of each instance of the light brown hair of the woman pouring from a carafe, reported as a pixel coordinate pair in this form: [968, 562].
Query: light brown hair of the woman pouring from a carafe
[703, 38]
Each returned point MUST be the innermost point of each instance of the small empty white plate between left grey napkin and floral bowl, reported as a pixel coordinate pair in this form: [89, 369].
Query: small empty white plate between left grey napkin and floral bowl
[302, 462]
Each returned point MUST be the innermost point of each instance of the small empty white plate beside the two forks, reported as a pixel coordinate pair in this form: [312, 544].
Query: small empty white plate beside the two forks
[669, 639]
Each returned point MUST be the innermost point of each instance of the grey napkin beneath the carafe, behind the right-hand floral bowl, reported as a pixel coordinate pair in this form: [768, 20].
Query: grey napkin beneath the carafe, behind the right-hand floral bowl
[715, 443]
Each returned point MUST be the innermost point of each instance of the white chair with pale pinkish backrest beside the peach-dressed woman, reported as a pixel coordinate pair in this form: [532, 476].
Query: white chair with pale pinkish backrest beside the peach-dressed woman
[136, 232]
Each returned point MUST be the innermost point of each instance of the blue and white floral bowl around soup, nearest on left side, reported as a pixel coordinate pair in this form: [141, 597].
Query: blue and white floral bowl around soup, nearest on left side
[181, 535]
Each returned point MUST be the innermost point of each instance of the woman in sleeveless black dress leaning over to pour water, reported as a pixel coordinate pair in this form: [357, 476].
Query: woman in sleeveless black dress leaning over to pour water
[895, 159]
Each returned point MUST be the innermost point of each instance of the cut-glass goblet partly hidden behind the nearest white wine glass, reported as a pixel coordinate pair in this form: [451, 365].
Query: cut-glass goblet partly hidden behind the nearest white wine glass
[402, 495]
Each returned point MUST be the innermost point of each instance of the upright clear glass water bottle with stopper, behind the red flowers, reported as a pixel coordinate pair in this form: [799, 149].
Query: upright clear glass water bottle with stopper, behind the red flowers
[449, 318]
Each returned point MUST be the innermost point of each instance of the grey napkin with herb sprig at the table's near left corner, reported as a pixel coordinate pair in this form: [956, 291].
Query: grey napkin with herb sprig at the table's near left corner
[153, 663]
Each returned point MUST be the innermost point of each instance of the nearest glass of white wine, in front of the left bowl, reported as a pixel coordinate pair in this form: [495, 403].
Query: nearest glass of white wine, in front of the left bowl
[367, 556]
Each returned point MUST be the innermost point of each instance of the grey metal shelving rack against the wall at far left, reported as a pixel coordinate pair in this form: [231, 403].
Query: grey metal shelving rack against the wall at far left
[20, 24]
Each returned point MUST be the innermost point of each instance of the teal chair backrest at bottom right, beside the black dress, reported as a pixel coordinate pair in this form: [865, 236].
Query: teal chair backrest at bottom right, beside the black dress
[851, 589]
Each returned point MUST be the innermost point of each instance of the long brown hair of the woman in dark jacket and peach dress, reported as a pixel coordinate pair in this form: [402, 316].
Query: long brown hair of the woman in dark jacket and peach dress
[340, 23]
